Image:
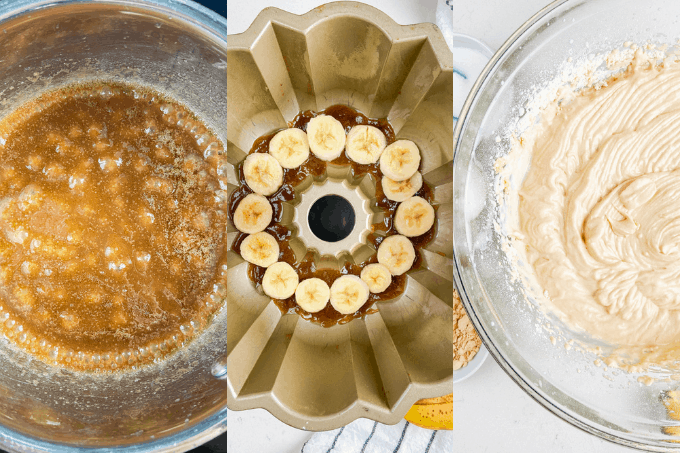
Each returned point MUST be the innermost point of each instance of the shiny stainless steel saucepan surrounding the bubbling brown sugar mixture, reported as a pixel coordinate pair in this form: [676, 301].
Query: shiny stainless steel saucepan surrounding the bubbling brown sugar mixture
[179, 48]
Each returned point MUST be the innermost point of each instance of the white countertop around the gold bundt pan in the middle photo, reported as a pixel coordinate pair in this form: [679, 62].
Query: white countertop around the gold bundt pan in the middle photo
[257, 431]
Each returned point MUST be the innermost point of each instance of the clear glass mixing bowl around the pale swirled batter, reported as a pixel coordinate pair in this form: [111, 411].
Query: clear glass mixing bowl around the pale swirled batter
[605, 402]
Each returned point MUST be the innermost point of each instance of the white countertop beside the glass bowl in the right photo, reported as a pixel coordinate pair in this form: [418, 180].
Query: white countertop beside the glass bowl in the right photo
[490, 412]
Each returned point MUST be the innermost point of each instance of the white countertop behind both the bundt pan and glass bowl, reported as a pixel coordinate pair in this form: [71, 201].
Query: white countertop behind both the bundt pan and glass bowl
[491, 412]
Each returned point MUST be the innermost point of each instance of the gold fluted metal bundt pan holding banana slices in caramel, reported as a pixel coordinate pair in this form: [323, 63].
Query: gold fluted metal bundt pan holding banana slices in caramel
[309, 376]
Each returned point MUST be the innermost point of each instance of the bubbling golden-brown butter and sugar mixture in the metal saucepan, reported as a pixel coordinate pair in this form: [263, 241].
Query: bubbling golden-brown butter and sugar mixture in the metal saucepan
[111, 227]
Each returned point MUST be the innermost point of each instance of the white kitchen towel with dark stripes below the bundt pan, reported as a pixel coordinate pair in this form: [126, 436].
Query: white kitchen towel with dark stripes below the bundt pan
[366, 436]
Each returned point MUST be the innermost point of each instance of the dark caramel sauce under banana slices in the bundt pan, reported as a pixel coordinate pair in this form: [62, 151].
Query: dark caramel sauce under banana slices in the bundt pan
[315, 167]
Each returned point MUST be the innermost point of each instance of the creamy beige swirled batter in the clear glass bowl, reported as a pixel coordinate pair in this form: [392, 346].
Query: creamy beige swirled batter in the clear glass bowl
[599, 209]
